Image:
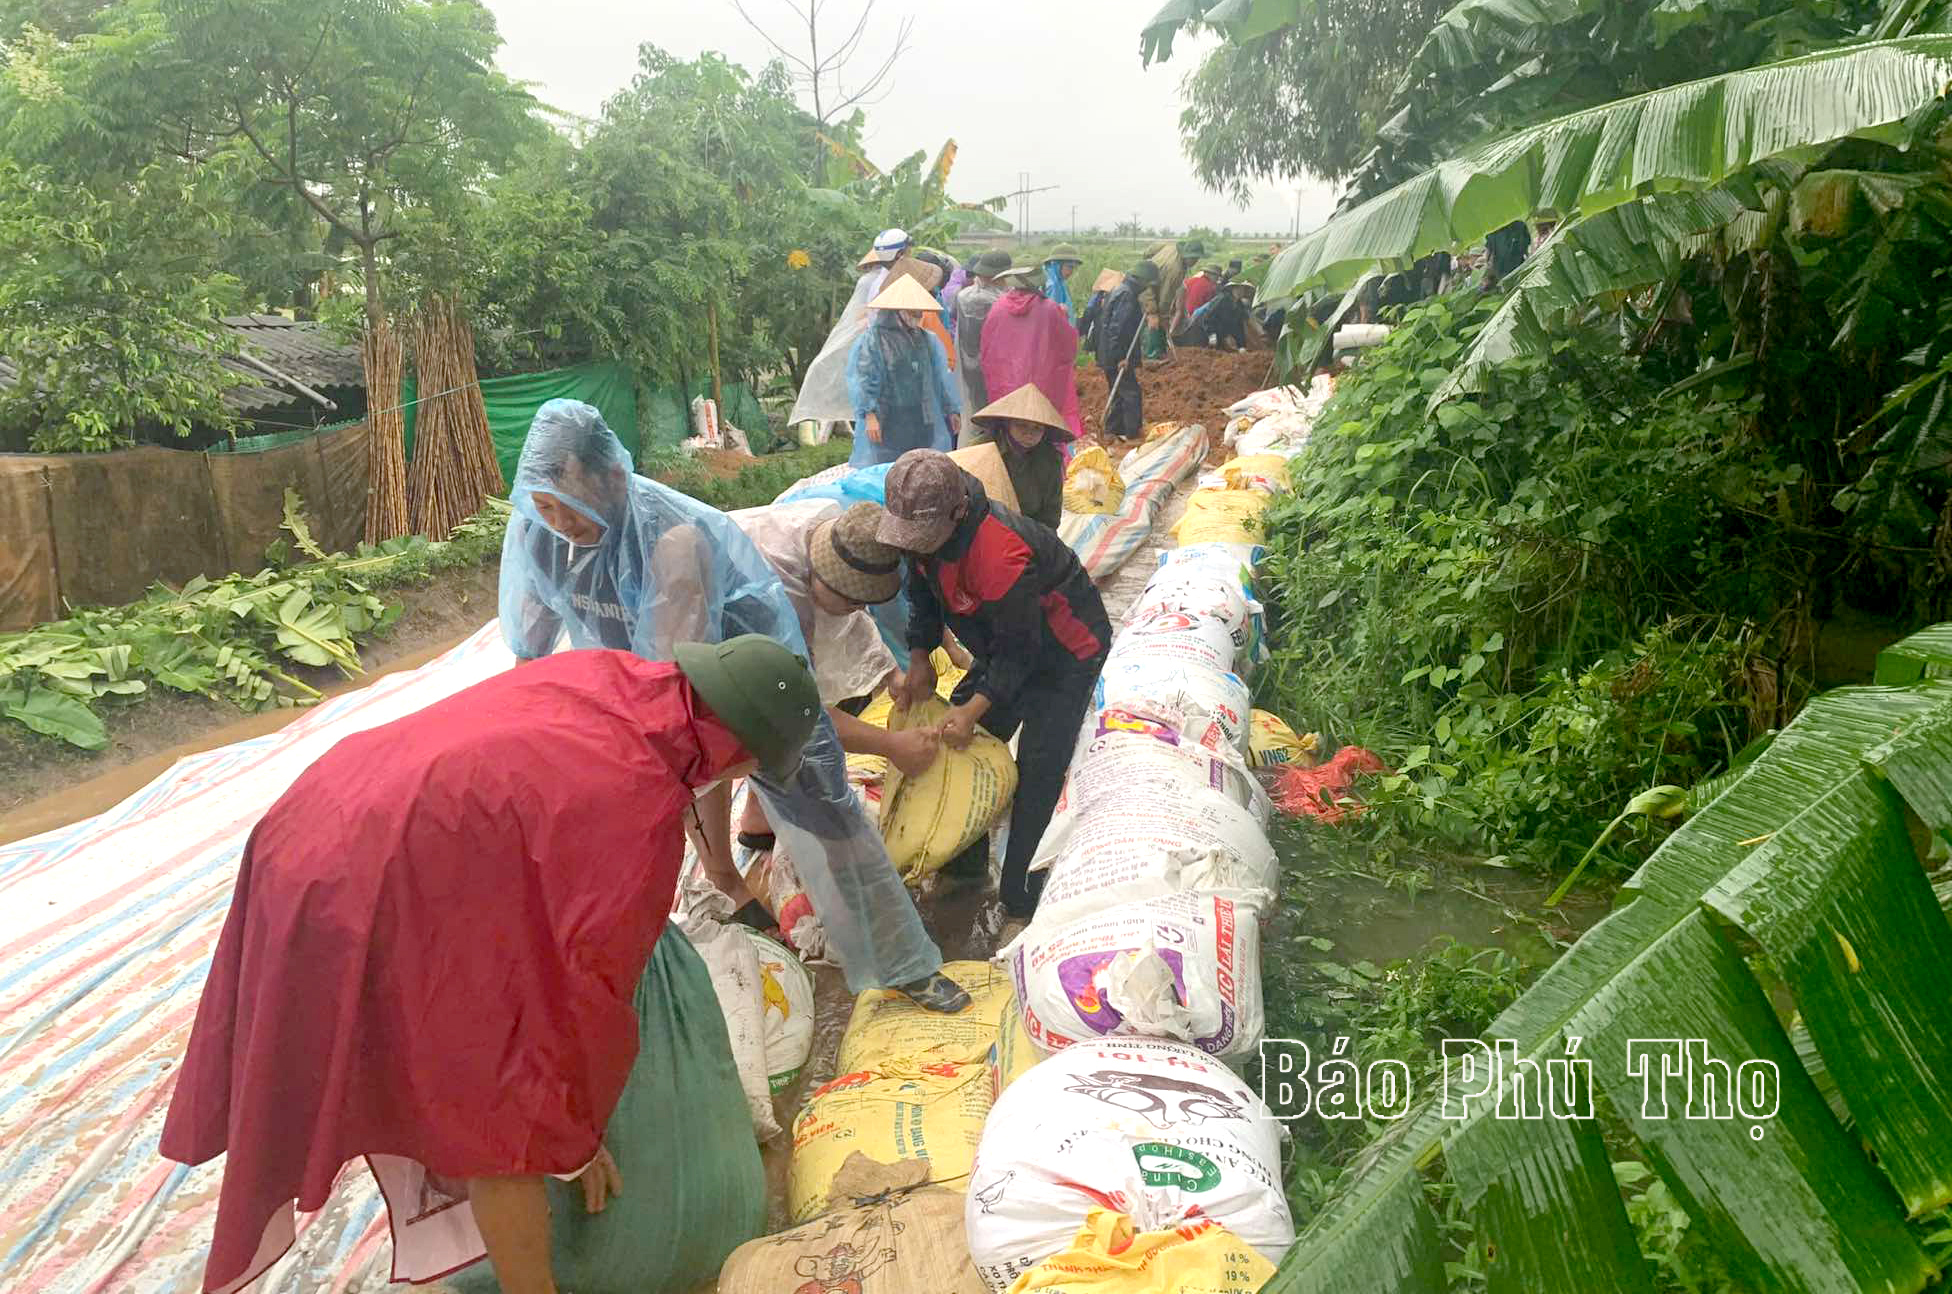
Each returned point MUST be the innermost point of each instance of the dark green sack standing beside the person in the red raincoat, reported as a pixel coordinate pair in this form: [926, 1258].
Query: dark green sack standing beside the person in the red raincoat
[694, 1188]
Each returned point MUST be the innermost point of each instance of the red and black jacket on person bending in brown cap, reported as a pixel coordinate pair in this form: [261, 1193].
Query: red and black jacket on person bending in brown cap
[1014, 594]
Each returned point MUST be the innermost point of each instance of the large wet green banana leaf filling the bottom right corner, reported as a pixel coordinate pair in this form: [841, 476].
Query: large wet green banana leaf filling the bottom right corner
[1791, 1201]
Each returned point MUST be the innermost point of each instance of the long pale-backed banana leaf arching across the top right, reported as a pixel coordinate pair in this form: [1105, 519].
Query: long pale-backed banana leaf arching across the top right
[1678, 138]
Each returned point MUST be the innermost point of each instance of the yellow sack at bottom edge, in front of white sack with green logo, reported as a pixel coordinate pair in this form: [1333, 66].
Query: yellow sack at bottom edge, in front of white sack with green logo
[1112, 1258]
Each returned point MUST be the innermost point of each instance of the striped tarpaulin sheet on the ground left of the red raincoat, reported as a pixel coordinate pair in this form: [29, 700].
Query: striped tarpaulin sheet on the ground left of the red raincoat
[106, 934]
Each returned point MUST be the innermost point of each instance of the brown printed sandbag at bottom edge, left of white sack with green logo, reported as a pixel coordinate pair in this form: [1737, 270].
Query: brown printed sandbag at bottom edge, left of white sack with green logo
[905, 1242]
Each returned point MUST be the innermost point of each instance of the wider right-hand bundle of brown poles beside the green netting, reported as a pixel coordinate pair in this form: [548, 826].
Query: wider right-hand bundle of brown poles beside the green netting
[454, 456]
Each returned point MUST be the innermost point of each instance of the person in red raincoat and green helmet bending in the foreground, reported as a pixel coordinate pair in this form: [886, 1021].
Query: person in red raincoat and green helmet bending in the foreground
[436, 940]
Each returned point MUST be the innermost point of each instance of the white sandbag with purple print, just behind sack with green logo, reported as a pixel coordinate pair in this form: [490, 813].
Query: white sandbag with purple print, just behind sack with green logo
[1180, 967]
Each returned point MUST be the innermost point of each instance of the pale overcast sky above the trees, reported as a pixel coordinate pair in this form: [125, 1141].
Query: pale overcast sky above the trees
[1104, 128]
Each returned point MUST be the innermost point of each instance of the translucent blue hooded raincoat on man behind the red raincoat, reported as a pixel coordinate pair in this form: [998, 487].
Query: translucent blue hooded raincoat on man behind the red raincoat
[667, 571]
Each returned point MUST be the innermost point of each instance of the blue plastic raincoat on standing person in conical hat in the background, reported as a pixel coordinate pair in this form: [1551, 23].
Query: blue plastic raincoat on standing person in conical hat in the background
[901, 374]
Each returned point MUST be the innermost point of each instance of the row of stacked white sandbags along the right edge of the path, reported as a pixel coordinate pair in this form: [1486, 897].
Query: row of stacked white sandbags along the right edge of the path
[1141, 977]
